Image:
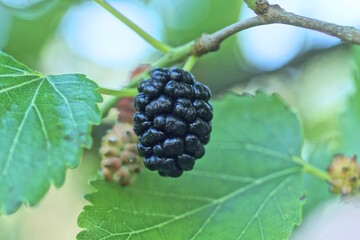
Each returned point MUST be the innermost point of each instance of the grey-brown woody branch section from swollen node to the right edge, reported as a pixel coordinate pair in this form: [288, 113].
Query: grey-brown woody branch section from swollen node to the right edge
[270, 14]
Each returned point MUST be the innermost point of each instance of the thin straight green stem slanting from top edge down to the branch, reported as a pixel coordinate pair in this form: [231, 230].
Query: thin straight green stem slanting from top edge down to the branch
[162, 47]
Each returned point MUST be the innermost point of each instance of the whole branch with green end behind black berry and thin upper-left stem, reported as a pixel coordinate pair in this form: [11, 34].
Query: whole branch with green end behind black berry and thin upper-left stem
[267, 14]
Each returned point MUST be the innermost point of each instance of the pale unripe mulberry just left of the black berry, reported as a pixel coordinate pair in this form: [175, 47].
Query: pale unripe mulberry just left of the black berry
[120, 159]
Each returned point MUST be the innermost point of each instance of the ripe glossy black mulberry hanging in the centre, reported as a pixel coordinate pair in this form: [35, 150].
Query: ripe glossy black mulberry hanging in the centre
[173, 120]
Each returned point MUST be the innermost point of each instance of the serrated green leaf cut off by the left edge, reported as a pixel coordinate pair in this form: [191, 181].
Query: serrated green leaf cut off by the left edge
[44, 123]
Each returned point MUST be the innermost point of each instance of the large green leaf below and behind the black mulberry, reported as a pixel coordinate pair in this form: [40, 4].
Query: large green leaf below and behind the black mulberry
[248, 185]
